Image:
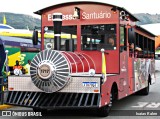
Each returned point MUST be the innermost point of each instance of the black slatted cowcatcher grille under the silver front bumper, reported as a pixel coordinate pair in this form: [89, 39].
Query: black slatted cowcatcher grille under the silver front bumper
[52, 100]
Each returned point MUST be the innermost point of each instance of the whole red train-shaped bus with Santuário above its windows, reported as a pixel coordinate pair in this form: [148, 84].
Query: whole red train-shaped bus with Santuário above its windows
[109, 59]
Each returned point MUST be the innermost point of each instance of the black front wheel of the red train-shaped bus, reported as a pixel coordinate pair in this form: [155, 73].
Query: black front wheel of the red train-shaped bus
[104, 111]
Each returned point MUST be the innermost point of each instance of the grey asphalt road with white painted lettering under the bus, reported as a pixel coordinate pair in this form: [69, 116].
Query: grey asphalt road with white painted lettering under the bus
[135, 103]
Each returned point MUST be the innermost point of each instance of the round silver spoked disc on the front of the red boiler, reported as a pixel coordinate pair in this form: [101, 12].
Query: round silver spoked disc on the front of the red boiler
[50, 70]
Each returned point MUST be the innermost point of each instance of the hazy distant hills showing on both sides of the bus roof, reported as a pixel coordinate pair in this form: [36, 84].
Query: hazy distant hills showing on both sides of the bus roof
[21, 21]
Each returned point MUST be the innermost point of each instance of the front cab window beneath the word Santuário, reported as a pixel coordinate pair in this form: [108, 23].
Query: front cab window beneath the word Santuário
[96, 37]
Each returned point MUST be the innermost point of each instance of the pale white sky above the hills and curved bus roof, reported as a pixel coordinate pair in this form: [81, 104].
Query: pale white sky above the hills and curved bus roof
[30, 6]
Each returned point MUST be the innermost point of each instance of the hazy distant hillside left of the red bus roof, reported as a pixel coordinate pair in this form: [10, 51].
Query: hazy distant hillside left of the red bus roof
[20, 21]
